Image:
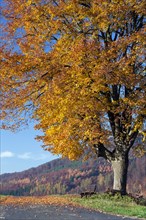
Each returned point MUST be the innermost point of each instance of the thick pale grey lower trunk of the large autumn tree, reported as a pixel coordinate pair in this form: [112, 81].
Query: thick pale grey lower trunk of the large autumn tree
[120, 168]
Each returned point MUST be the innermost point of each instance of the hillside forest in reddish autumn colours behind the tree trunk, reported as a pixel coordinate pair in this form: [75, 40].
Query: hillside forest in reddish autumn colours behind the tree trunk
[62, 176]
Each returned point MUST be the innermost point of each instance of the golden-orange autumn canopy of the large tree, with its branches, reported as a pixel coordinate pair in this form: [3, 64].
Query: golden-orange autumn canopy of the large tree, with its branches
[77, 67]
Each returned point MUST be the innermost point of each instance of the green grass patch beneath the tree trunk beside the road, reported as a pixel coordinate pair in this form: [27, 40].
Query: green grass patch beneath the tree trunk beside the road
[125, 206]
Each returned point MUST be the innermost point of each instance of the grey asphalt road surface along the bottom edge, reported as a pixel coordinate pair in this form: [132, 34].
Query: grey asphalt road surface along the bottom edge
[45, 212]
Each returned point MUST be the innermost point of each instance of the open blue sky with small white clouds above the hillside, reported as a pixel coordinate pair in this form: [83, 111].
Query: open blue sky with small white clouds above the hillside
[20, 151]
